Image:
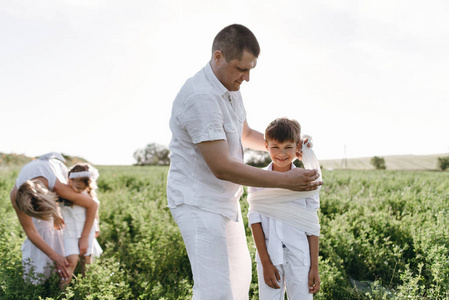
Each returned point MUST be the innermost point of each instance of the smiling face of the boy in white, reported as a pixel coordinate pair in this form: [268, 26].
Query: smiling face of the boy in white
[282, 154]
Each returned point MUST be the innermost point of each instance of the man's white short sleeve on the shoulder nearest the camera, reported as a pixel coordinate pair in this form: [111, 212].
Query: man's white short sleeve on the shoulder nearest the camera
[203, 118]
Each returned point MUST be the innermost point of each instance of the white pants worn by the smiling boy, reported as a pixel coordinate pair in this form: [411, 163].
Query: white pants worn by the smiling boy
[294, 276]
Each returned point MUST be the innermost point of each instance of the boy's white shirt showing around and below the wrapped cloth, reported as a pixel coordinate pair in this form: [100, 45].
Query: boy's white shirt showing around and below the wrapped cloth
[278, 233]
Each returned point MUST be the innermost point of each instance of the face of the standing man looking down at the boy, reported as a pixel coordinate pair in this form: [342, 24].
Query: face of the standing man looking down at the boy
[232, 74]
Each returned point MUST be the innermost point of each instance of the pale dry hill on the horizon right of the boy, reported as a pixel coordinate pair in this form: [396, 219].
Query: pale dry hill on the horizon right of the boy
[393, 162]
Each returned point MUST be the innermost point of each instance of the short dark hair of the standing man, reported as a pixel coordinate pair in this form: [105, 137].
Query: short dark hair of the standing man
[233, 40]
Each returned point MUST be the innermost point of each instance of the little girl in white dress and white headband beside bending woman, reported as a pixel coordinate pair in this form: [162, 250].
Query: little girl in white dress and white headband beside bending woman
[82, 179]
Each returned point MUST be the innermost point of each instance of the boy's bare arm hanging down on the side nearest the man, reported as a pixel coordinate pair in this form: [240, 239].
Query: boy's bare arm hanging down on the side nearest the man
[270, 273]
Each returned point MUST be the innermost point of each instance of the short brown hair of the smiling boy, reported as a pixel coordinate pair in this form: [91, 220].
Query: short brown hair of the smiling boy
[283, 129]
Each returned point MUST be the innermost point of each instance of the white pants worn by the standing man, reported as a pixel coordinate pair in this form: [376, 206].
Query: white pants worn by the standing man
[218, 253]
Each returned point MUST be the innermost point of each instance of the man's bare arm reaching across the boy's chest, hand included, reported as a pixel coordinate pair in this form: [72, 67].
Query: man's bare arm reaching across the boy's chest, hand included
[225, 167]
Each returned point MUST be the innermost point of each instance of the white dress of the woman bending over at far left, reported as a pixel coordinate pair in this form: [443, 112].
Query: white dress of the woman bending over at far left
[37, 265]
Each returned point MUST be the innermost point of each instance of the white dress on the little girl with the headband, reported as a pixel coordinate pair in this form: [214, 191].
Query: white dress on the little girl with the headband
[74, 217]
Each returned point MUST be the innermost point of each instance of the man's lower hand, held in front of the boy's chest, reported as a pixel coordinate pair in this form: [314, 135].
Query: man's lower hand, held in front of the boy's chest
[302, 180]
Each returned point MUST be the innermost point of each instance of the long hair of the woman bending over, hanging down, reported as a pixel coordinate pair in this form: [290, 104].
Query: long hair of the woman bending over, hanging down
[36, 200]
